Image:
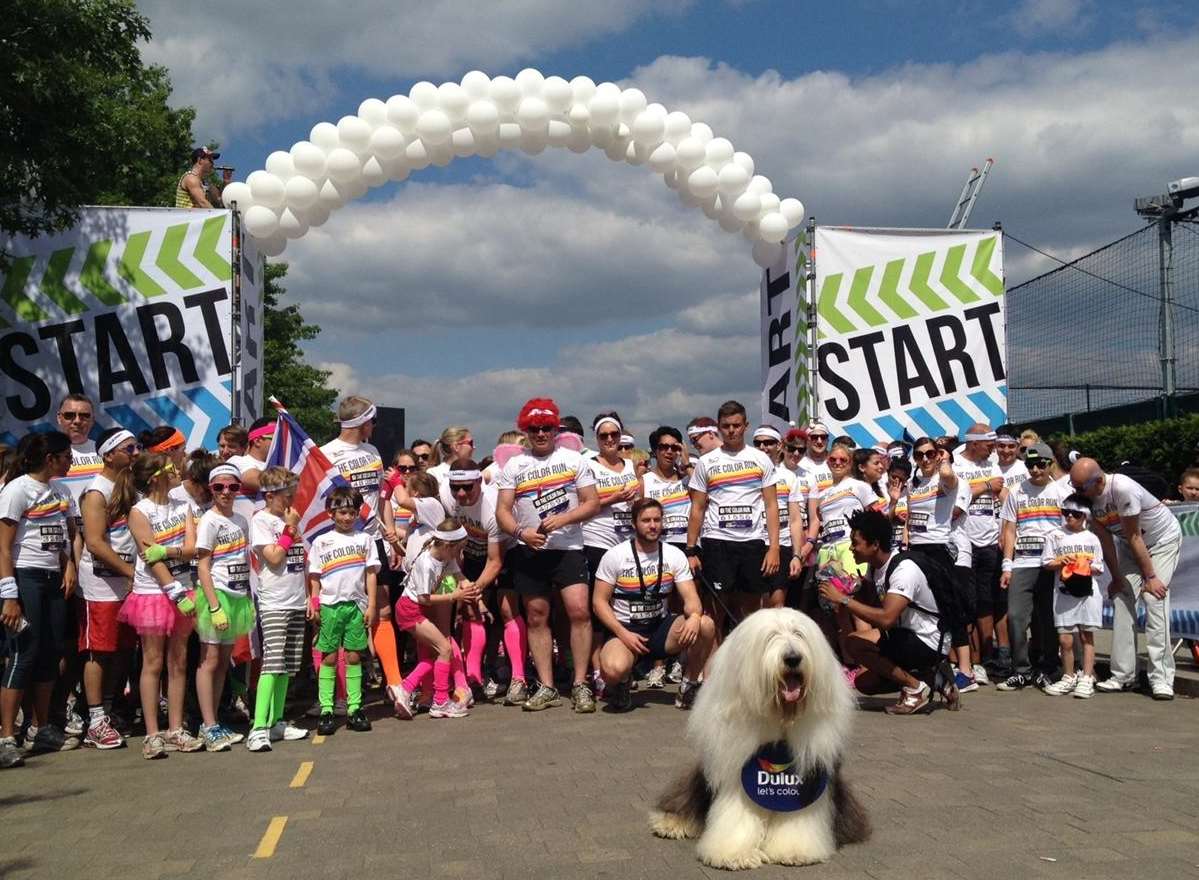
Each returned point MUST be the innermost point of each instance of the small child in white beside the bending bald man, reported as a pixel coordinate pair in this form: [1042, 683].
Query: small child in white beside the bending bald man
[1077, 558]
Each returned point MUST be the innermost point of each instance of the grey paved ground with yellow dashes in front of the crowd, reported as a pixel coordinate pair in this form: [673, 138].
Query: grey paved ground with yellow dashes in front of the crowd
[1014, 786]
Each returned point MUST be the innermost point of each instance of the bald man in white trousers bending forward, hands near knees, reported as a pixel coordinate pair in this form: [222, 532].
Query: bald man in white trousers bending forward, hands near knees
[1142, 541]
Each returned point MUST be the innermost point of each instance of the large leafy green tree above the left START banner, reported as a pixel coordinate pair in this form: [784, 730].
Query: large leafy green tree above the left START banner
[83, 122]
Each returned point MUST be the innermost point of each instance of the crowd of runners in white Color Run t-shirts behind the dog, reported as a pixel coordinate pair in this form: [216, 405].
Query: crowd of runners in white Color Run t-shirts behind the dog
[148, 586]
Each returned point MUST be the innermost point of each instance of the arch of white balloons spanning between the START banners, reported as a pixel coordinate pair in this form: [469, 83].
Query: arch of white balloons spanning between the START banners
[480, 117]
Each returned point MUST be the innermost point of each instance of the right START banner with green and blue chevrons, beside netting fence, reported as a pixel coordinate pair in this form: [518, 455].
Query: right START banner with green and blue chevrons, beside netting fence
[909, 331]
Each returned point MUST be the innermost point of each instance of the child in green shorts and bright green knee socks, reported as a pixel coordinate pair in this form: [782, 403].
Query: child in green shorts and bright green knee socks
[344, 566]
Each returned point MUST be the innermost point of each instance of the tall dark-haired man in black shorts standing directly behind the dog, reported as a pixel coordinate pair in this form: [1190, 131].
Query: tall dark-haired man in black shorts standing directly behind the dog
[733, 531]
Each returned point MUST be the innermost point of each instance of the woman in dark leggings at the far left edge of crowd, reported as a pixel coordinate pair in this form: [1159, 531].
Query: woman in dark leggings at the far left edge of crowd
[37, 577]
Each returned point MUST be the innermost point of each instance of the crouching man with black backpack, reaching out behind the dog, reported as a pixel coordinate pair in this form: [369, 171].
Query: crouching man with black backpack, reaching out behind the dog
[906, 644]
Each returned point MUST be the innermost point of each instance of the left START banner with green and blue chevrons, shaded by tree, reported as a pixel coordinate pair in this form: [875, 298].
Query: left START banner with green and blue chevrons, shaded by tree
[132, 308]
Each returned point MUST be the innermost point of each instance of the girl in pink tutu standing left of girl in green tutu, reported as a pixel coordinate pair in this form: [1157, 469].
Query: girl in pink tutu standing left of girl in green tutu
[162, 606]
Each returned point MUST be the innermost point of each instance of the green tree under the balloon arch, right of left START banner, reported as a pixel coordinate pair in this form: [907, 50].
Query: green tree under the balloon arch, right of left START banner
[299, 387]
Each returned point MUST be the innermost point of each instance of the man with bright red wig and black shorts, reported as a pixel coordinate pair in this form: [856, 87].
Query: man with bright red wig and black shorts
[545, 497]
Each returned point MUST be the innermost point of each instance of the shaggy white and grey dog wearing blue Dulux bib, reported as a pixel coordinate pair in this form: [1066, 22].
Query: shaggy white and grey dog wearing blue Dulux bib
[774, 680]
